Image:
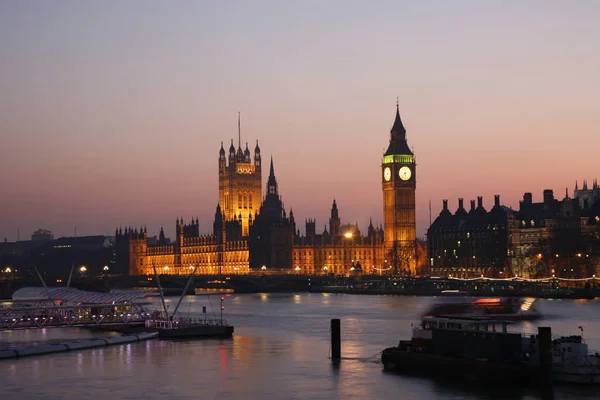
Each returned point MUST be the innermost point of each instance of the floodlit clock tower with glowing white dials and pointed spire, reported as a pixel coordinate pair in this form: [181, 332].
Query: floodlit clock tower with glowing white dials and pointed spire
[399, 182]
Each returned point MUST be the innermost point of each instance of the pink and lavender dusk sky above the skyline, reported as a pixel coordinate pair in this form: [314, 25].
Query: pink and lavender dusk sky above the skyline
[112, 113]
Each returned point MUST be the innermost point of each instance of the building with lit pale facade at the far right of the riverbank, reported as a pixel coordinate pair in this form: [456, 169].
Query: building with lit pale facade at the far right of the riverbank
[556, 237]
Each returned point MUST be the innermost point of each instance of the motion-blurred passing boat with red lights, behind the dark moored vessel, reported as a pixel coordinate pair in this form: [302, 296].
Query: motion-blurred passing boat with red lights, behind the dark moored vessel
[491, 308]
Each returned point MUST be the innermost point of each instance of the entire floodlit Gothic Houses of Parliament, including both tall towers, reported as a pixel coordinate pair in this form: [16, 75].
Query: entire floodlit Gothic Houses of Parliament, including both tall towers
[255, 233]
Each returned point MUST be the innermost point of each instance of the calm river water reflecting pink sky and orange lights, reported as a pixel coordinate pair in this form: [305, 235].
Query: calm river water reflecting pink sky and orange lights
[280, 350]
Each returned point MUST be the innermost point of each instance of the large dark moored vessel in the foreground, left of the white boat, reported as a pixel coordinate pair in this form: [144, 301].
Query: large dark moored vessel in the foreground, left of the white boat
[469, 348]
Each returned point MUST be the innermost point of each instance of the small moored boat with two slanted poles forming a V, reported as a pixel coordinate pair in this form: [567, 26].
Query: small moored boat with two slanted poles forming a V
[172, 327]
